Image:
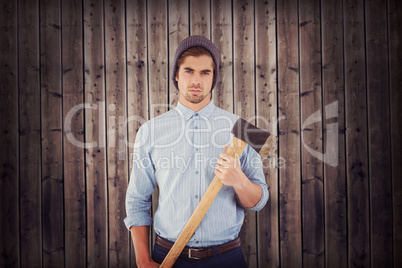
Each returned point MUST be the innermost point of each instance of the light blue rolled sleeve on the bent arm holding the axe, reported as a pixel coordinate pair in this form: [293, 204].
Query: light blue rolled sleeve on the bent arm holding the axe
[252, 168]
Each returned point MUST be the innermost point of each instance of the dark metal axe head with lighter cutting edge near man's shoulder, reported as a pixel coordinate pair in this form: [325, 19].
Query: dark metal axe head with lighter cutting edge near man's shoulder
[260, 140]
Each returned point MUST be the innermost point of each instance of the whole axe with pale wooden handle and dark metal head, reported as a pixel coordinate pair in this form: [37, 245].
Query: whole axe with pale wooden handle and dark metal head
[244, 133]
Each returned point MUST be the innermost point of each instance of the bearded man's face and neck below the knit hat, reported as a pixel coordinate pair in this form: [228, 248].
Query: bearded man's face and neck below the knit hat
[194, 79]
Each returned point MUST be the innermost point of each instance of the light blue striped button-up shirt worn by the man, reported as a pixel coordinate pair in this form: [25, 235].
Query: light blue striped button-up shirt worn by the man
[178, 151]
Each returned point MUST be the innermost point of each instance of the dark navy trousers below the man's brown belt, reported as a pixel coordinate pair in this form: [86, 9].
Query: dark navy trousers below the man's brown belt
[233, 259]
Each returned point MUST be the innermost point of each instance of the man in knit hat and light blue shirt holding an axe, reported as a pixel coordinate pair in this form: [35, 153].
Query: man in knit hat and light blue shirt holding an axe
[181, 151]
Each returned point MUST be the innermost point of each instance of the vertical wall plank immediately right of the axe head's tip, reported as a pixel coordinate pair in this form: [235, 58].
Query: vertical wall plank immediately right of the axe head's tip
[289, 134]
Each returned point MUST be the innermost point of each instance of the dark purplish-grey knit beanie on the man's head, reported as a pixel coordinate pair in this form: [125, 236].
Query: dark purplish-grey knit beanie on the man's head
[197, 41]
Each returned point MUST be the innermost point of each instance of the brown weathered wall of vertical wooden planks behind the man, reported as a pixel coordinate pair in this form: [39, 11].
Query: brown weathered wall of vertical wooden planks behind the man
[323, 75]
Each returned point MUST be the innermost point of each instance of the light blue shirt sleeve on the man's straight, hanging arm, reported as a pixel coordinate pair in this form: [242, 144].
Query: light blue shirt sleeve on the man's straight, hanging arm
[141, 185]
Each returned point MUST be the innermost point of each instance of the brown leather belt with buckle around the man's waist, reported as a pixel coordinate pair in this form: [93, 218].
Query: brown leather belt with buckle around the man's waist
[200, 253]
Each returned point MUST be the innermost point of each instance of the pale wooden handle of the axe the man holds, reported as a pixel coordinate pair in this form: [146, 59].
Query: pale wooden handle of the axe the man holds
[234, 149]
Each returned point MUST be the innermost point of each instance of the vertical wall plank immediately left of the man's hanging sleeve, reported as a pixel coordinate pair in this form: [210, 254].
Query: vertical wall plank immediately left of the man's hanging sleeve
[117, 156]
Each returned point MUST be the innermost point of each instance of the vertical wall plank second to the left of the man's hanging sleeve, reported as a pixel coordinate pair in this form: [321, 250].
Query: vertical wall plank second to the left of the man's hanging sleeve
[95, 135]
